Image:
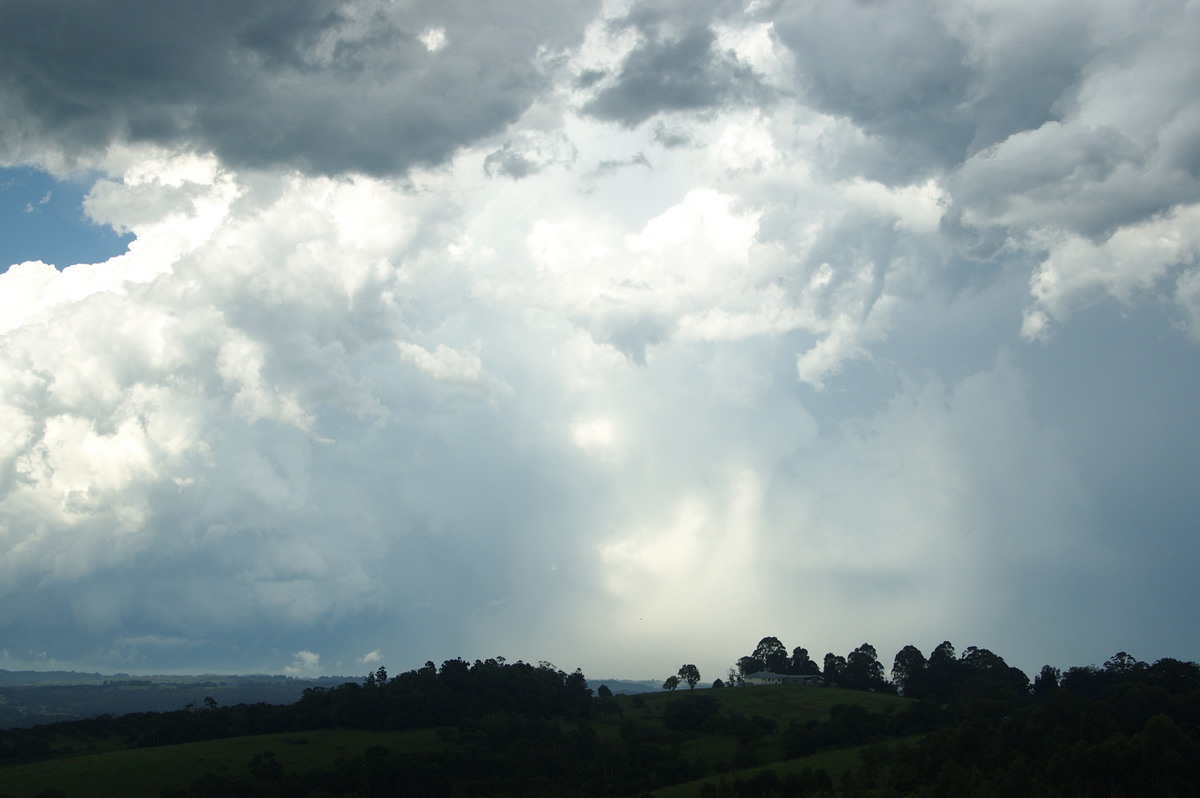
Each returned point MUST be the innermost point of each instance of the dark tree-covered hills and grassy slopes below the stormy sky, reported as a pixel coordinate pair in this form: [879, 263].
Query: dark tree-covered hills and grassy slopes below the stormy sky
[953, 725]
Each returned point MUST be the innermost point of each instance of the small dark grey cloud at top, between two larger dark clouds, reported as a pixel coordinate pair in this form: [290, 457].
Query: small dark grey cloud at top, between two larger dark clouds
[685, 74]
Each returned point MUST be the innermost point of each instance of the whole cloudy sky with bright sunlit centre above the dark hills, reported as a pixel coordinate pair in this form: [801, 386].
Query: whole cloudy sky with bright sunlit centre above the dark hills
[620, 335]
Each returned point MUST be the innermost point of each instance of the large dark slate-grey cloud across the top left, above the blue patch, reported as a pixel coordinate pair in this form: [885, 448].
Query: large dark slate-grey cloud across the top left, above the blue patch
[319, 86]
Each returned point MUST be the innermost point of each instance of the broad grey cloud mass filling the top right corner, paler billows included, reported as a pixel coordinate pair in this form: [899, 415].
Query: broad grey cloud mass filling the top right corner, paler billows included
[1033, 115]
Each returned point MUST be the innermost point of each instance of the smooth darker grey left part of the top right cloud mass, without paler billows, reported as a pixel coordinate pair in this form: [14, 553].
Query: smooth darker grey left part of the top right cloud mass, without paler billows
[939, 88]
